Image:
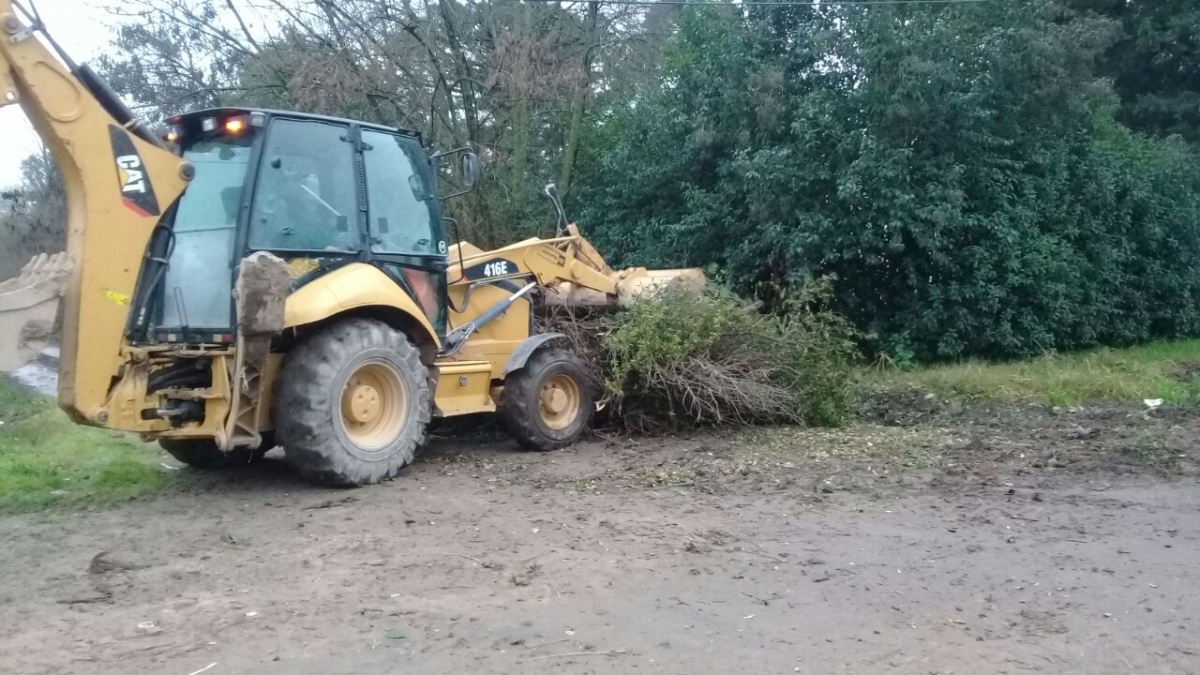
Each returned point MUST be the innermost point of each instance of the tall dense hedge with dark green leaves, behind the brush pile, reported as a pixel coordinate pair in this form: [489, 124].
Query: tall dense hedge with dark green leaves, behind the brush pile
[957, 169]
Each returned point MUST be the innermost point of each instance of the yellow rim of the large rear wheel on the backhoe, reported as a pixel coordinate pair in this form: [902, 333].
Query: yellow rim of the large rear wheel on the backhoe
[375, 405]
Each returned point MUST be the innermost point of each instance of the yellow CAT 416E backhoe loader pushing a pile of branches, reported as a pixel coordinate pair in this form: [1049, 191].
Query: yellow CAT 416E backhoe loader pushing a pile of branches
[254, 278]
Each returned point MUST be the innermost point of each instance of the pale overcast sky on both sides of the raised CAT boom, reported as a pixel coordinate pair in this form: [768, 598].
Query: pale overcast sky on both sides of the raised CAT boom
[82, 28]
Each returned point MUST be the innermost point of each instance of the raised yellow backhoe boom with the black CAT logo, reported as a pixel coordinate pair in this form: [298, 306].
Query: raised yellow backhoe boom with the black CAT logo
[118, 188]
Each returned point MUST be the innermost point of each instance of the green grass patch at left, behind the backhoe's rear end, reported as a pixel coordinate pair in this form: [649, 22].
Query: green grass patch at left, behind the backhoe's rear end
[47, 461]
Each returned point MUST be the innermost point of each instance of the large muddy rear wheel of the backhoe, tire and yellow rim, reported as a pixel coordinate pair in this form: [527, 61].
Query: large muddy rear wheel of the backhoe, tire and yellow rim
[352, 404]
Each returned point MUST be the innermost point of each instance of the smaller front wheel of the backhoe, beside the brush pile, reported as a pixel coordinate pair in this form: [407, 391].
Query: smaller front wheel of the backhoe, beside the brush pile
[549, 403]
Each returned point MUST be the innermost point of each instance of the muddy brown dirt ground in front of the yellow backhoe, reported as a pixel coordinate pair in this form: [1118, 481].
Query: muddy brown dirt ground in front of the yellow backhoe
[929, 539]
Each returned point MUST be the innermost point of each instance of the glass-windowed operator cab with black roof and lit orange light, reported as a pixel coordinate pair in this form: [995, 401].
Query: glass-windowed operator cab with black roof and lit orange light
[317, 192]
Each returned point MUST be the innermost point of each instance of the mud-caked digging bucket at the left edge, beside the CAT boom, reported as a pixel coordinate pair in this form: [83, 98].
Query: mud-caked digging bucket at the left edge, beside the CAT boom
[29, 306]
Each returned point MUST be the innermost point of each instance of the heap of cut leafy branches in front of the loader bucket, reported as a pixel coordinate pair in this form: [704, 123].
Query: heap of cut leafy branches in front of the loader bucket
[709, 359]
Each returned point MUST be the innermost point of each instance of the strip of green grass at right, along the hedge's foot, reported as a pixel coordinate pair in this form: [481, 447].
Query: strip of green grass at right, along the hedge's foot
[1160, 371]
